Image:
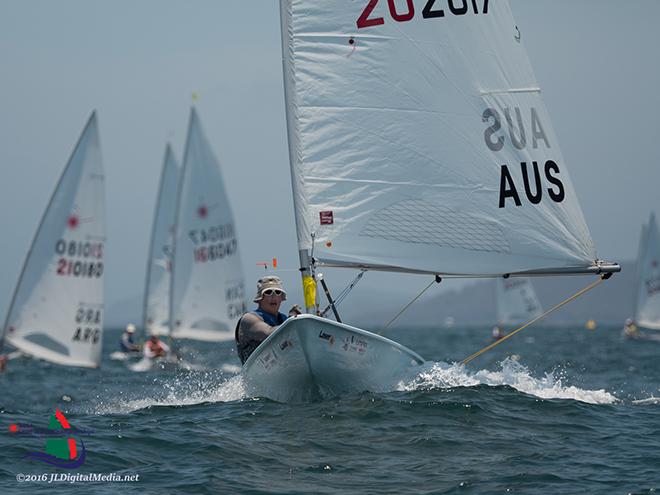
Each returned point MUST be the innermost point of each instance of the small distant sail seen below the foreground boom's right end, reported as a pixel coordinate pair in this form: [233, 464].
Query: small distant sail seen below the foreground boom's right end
[516, 301]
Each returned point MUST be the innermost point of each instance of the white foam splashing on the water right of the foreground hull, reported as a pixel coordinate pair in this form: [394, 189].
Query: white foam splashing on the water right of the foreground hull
[513, 374]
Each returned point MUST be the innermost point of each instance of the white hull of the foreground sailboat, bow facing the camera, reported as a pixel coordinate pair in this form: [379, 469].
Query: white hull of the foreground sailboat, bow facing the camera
[308, 358]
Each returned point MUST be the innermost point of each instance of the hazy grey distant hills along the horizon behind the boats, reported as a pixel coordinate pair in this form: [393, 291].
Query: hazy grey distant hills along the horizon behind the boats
[473, 304]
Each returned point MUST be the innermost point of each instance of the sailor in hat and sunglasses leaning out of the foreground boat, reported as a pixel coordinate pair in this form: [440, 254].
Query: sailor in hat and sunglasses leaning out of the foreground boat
[253, 327]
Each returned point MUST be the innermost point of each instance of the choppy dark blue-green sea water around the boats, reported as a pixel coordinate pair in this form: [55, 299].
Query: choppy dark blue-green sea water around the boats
[551, 411]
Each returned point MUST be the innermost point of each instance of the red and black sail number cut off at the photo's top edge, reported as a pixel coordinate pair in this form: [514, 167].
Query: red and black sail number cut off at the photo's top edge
[404, 10]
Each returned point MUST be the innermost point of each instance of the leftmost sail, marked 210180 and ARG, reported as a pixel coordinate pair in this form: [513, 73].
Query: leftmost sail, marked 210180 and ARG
[56, 313]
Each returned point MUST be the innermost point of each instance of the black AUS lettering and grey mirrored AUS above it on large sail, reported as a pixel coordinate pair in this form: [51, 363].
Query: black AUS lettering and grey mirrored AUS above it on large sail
[538, 179]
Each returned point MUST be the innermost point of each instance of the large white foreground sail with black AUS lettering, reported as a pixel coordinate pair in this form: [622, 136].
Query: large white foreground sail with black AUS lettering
[419, 141]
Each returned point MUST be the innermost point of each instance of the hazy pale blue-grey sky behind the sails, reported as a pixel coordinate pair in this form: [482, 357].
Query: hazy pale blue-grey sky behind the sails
[138, 63]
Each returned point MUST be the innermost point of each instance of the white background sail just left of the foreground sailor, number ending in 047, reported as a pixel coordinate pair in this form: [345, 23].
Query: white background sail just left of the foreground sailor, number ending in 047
[208, 288]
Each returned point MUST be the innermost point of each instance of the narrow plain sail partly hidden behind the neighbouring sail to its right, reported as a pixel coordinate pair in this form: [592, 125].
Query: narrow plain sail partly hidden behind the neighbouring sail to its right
[159, 265]
